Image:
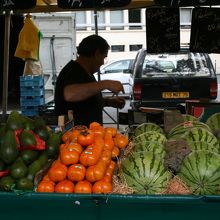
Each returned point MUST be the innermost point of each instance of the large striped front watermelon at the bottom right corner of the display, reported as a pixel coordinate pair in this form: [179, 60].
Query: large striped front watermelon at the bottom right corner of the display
[200, 171]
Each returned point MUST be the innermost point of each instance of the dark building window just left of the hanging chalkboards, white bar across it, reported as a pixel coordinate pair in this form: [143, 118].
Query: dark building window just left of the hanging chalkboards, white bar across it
[134, 19]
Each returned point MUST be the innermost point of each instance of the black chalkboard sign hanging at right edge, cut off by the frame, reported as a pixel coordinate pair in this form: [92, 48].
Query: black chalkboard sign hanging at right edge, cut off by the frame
[205, 30]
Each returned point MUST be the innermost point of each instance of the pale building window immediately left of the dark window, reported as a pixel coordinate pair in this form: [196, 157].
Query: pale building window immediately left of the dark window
[116, 20]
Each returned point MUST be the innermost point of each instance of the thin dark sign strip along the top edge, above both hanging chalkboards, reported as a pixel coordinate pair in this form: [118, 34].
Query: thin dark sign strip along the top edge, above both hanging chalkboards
[182, 3]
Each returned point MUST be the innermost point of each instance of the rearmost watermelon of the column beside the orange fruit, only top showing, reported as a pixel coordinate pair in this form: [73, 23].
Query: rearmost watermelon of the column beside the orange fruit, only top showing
[145, 127]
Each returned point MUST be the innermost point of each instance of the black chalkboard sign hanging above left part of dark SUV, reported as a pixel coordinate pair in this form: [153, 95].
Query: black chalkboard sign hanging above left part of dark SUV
[163, 30]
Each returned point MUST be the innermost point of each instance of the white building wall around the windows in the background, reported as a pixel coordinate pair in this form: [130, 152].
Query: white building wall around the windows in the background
[128, 37]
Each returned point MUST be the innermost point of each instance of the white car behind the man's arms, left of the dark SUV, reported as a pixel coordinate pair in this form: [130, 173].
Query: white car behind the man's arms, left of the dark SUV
[117, 70]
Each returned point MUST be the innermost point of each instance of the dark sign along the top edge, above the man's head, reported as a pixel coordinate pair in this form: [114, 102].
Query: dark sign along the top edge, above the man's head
[74, 4]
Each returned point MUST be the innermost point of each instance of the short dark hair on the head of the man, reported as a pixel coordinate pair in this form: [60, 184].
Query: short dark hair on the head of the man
[90, 44]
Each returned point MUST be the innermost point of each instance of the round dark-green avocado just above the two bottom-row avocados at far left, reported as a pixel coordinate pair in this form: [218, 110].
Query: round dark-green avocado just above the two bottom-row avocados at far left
[18, 170]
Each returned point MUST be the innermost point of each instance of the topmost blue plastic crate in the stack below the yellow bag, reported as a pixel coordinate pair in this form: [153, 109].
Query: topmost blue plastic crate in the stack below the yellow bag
[31, 80]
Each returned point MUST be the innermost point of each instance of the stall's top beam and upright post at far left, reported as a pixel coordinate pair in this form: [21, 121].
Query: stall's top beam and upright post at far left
[8, 7]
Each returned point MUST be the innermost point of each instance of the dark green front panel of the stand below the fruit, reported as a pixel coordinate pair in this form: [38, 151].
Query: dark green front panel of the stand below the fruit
[58, 206]
